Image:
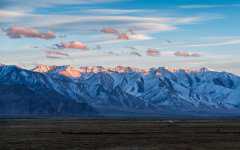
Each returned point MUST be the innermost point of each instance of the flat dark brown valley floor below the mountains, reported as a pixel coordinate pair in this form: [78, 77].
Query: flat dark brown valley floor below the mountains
[107, 134]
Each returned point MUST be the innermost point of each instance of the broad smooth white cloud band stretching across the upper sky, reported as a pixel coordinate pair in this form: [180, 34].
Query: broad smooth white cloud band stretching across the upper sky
[145, 26]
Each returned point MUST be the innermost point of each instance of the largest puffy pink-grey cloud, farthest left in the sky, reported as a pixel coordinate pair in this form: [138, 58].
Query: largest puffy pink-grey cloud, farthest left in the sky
[19, 32]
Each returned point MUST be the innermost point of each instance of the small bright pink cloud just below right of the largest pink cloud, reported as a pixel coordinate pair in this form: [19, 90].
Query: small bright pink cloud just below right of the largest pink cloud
[72, 45]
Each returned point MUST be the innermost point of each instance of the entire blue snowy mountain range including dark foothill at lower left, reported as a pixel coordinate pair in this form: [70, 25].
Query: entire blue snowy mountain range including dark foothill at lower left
[66, 90]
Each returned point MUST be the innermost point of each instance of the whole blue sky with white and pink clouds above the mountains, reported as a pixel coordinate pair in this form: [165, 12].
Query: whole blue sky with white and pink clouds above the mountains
[185, 33]
